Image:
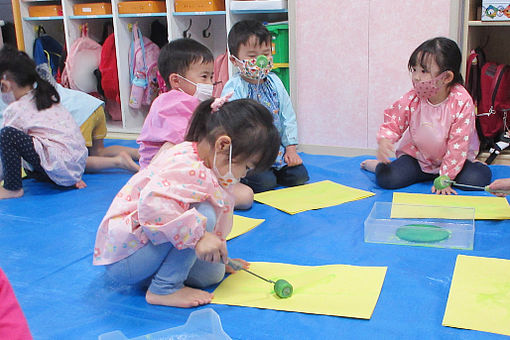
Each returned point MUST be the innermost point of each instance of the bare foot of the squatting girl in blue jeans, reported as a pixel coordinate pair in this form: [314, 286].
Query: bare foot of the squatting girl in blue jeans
[185, 297]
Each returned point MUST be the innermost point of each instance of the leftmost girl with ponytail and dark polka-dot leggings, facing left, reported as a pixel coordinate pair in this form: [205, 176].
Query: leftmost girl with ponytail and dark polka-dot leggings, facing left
[36, 128]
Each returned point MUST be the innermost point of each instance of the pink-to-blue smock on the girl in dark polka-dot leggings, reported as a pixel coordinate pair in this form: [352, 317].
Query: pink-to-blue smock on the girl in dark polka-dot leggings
[56, 137]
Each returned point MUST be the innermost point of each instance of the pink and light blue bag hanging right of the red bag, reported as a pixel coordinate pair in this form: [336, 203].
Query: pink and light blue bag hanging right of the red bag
[143, 70]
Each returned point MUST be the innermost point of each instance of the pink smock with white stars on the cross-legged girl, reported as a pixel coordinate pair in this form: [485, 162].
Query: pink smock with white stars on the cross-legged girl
[441, 137]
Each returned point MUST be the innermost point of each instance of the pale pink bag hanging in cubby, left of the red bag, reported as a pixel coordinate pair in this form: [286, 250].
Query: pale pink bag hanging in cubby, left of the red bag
[82, 60]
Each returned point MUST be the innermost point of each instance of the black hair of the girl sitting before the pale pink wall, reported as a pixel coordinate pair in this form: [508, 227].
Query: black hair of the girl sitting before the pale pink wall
[445, 52]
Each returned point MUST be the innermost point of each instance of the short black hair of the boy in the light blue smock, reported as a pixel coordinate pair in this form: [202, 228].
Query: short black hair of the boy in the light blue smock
[242, 31]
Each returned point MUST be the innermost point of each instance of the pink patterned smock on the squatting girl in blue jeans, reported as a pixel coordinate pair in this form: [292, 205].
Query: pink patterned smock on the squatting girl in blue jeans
[154, 206]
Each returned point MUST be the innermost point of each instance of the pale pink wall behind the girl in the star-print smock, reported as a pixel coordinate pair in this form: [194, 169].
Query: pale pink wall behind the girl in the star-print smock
[351, 63]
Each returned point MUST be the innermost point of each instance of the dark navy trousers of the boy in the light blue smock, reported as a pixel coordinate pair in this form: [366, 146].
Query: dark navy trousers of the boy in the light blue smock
[269, 179]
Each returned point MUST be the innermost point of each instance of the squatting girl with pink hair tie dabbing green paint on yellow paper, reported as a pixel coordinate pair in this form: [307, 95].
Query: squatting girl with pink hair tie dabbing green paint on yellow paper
[170, 221]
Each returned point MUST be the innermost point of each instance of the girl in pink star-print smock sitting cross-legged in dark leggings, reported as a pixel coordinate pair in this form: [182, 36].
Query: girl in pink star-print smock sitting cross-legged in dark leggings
[435, 123]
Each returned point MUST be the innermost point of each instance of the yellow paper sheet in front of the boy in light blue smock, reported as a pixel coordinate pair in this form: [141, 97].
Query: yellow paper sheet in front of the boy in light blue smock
[311, 196]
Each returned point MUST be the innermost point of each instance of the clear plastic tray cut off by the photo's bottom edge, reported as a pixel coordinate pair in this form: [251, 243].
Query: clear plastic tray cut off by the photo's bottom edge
[203, 324]
